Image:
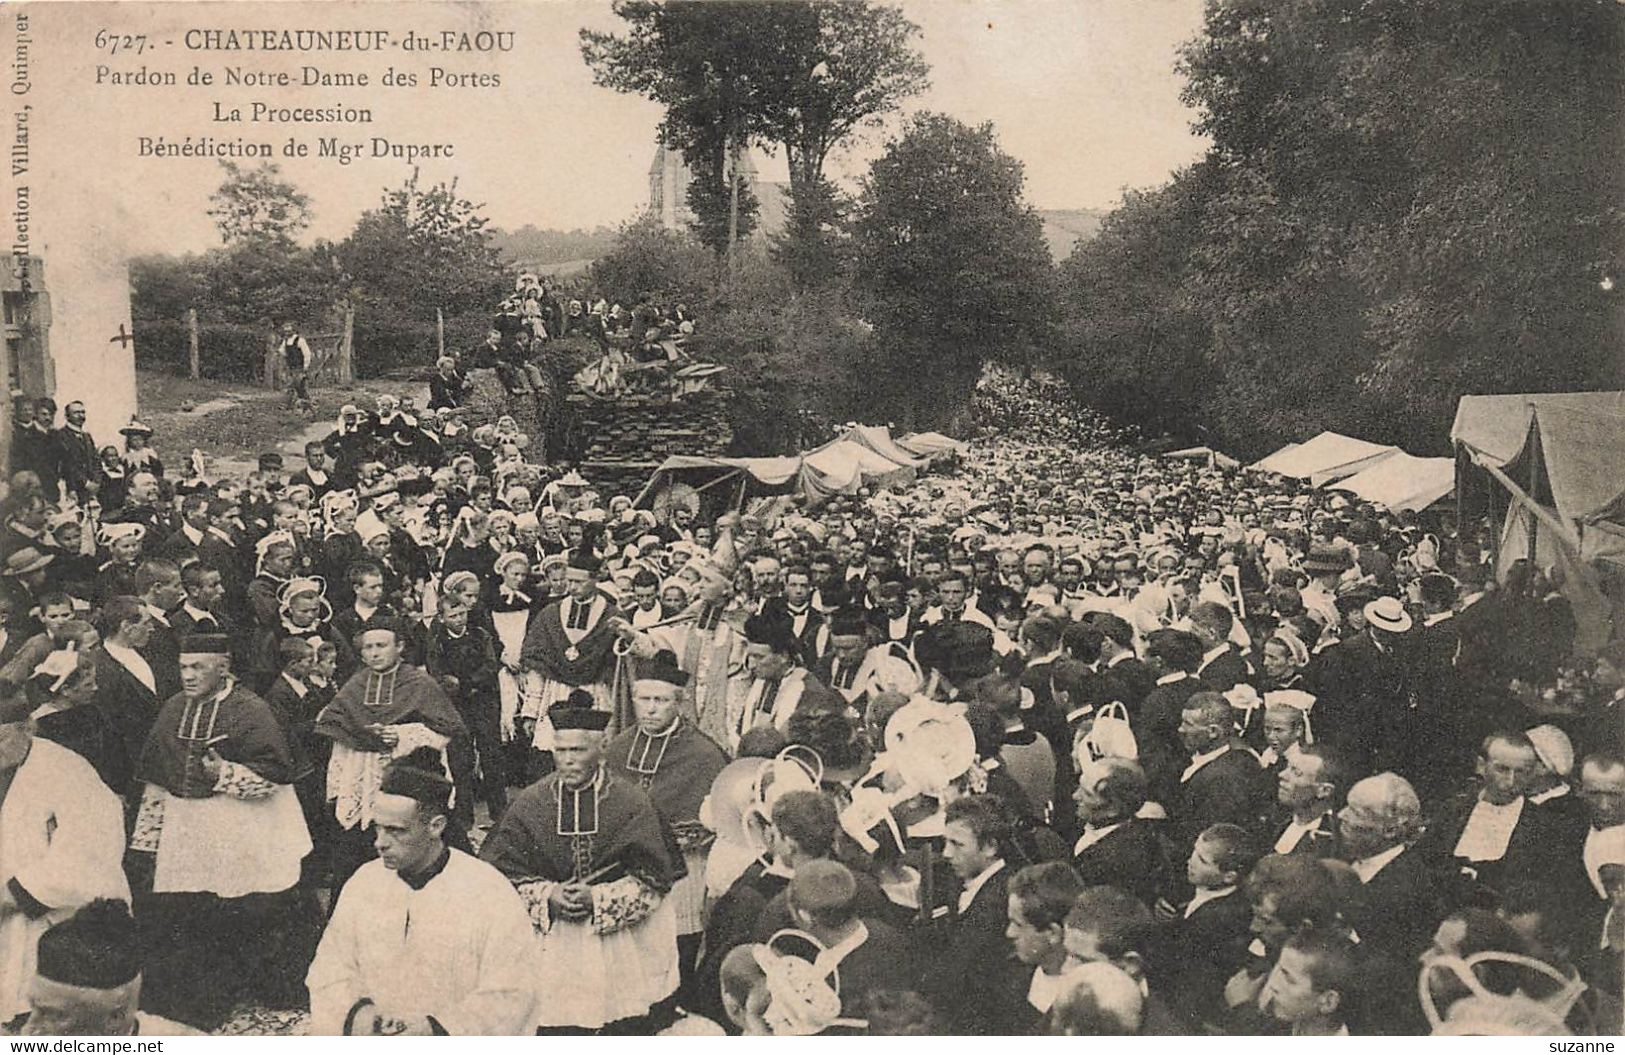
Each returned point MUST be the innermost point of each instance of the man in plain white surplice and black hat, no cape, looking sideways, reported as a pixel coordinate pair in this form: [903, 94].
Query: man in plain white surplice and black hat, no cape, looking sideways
[425, 940]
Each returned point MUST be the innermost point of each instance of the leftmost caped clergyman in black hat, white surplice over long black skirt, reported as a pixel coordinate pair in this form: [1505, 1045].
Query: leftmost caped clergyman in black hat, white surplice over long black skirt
[220, 838]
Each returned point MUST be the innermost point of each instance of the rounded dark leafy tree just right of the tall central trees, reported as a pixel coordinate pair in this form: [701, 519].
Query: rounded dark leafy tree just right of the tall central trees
[951, 263]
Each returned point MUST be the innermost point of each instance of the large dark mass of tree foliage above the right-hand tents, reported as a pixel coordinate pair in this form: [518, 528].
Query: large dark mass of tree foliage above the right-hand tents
[1405, 201]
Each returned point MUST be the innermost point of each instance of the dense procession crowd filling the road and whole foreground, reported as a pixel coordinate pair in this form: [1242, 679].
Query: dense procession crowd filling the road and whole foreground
[1057, 739]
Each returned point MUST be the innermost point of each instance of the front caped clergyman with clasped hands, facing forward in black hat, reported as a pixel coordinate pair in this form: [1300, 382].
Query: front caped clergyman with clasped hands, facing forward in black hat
[589, 856]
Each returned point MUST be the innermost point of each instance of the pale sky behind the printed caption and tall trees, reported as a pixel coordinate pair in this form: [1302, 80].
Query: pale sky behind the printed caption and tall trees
[1081, 92]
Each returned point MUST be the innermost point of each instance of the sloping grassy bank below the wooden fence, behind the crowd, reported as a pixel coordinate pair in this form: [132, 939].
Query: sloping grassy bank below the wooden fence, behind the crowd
[240, 420]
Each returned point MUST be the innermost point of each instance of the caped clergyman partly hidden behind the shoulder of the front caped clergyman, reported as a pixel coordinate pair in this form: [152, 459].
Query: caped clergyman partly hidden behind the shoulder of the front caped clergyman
[677, 765]
